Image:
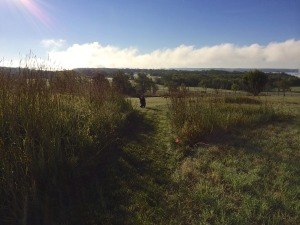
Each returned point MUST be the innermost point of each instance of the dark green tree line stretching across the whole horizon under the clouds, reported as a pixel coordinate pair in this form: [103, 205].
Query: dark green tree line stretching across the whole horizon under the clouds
[134, 82]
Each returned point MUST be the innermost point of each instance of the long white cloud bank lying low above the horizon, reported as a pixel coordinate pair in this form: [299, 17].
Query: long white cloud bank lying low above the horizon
[274, 55]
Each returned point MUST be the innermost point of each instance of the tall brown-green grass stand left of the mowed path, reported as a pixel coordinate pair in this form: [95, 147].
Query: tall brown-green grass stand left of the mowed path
[52, 146]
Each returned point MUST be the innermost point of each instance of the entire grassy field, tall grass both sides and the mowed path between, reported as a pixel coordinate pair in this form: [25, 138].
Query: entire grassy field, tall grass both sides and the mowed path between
[70, 155]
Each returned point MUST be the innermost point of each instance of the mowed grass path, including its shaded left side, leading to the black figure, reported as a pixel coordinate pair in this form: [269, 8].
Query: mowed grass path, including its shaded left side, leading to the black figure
[135, 182]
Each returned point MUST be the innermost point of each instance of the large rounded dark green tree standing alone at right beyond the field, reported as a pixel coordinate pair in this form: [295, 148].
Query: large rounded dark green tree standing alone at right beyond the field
[255, 81]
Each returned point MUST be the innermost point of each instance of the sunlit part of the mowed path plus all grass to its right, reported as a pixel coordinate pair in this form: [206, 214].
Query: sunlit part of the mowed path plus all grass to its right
[242, 170]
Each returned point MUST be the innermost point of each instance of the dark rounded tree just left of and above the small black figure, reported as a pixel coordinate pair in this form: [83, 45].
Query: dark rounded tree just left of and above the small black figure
[121, 83]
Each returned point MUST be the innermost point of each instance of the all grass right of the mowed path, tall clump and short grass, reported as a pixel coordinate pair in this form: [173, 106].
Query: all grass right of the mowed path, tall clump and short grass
[248, 173]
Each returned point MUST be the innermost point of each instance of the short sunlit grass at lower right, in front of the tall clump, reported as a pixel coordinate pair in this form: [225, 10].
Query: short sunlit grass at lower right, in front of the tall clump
[249, 177]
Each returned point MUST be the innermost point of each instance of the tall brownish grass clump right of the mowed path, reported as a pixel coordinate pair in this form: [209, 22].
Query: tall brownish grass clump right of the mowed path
[195, 118]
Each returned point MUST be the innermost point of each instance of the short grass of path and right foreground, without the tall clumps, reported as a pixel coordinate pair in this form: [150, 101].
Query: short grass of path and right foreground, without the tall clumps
[247, 176]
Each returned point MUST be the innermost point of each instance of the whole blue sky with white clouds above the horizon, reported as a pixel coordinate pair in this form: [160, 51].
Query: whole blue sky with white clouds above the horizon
[150, 33]
